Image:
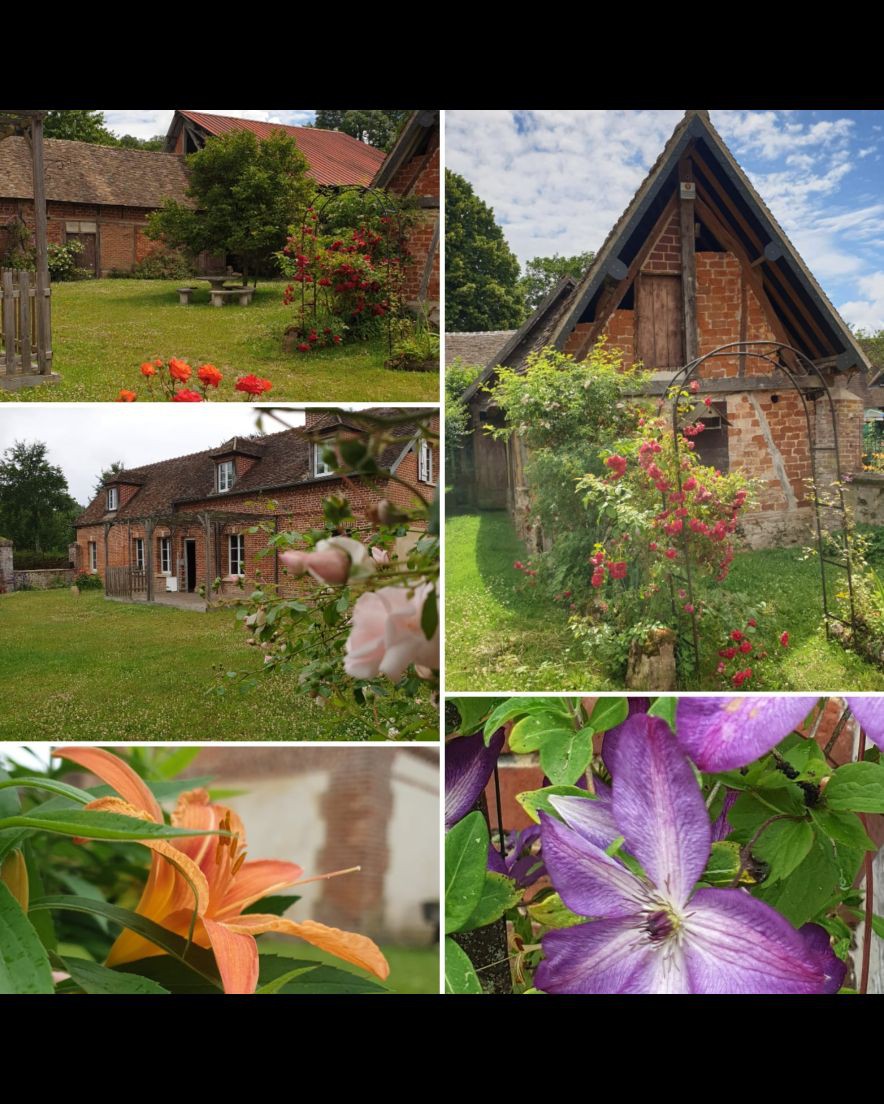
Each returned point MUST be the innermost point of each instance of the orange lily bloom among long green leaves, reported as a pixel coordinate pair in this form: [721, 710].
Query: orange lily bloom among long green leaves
[211, 875]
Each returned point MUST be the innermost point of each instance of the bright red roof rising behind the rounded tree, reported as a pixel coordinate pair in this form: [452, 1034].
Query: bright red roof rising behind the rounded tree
[334, 157]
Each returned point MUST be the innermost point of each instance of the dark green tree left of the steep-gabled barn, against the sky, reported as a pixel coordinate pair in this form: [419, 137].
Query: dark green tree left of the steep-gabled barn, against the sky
[482, 281]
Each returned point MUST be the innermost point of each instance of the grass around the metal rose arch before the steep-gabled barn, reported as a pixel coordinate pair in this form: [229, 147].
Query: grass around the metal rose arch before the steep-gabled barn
[500, 638]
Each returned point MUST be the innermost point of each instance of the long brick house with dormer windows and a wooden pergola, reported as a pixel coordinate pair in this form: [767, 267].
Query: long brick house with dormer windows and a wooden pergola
[180, 525]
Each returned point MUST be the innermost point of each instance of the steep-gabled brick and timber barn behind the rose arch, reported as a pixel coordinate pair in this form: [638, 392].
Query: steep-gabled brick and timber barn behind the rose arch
[696, 262]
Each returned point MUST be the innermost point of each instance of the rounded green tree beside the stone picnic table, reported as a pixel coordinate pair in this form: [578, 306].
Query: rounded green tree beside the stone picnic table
[248, 193]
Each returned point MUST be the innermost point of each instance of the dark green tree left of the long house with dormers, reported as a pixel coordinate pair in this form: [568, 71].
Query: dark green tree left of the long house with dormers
[37, 509]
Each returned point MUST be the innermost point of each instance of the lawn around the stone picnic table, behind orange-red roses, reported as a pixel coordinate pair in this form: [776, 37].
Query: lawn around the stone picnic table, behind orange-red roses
[103, 330]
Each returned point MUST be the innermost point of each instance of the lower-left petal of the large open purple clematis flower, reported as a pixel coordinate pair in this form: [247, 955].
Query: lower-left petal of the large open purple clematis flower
[610, 957]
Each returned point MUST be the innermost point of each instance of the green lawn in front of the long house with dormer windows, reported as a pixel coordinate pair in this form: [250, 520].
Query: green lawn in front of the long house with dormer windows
[86, 668]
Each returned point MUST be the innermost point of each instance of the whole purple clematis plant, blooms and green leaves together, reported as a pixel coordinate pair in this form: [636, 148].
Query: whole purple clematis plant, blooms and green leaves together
[700, 845]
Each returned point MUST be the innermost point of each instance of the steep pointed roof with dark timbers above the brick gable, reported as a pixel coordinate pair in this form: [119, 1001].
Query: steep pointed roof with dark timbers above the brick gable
[734, 214]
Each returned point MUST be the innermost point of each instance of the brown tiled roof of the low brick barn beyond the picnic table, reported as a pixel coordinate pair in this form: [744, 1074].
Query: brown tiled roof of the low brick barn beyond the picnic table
[82, 173]
